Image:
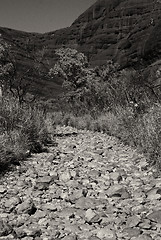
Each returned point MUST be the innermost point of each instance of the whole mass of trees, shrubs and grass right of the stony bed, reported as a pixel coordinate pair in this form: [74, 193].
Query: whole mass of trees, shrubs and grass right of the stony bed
[123, 103]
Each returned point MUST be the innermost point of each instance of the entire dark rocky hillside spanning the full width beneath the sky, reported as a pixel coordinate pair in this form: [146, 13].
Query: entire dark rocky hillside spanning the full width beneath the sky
[127, 31]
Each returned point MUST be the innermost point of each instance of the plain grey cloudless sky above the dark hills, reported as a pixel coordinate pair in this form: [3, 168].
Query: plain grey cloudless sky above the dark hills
[40, 15]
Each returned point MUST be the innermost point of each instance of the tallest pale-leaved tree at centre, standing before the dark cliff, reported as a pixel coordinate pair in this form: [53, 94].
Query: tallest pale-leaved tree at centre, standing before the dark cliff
[72, 66]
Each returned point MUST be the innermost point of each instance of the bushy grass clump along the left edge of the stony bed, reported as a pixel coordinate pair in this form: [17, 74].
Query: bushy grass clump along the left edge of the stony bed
[23, 129]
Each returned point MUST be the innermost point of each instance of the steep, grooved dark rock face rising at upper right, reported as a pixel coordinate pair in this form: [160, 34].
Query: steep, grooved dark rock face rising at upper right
[127, 31]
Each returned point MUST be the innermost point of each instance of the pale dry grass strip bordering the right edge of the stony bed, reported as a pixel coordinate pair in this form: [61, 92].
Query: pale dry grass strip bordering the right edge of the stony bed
[142, 131]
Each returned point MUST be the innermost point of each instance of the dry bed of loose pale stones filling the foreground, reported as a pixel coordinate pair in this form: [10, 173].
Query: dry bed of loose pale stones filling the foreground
[89, 187]
